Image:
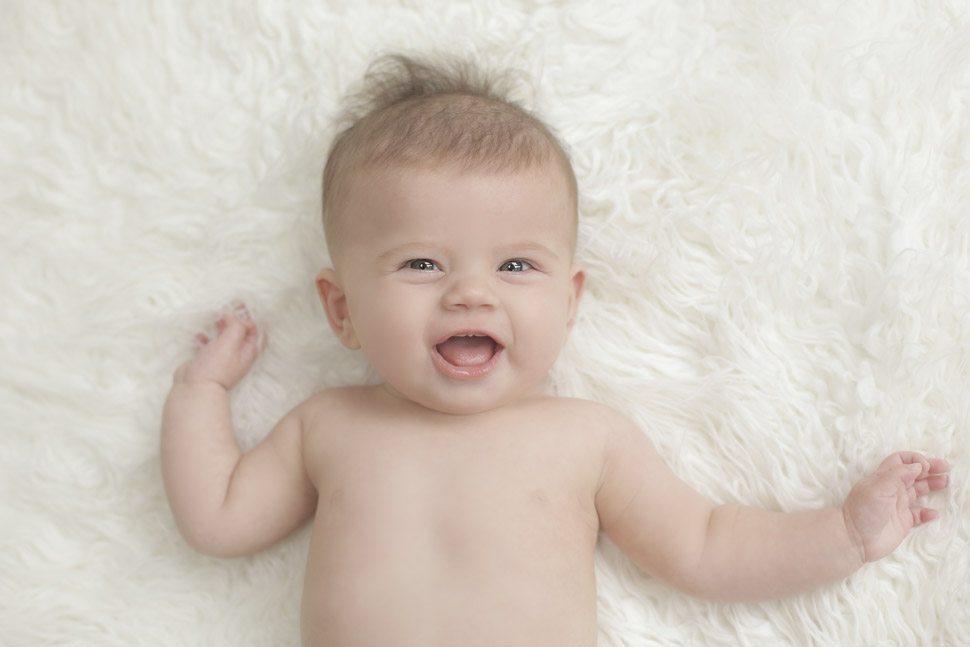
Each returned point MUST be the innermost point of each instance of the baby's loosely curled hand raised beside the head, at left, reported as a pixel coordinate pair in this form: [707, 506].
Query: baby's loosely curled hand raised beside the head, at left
[225, 359]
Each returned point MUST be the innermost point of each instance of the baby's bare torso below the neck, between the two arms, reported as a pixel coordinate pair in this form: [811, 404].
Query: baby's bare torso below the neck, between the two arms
[447, 524]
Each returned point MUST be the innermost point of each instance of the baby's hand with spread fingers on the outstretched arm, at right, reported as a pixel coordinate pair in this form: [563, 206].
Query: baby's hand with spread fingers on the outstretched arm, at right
[882, 507]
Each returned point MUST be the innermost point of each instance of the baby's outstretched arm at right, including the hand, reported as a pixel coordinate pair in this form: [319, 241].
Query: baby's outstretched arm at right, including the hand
[746, 553]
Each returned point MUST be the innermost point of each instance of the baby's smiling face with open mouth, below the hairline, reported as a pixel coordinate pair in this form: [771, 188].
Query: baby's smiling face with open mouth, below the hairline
[460, 287]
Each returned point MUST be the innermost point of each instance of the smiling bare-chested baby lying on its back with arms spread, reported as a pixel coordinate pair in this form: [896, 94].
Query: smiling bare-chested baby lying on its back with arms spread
[455, 503]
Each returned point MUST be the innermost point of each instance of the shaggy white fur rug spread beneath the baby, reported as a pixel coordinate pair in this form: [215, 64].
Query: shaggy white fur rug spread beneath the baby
[775, 220]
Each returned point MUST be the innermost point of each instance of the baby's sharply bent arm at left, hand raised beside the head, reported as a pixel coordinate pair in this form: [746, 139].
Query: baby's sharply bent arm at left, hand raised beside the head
[226, 503]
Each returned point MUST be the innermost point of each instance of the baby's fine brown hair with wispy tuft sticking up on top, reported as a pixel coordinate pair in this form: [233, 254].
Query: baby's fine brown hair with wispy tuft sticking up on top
[417, 112]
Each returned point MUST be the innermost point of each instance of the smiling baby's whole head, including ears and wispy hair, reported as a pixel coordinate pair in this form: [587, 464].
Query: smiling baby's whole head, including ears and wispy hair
[450, 215]
